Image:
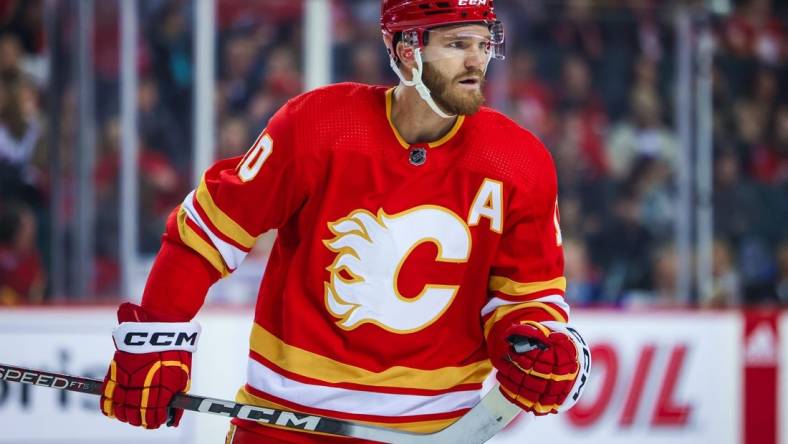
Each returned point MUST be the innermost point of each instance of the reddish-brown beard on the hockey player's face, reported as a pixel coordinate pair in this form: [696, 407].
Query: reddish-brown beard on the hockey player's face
[450, 99]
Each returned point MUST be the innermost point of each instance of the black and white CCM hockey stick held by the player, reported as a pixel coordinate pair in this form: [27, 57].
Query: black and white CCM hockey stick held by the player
[477, 426]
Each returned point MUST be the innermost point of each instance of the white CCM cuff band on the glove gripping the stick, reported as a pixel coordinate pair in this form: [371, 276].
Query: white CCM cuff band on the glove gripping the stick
[146, 337]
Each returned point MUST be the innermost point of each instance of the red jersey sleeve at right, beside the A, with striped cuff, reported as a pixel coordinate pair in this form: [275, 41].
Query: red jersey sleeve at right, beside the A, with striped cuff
[526, 280]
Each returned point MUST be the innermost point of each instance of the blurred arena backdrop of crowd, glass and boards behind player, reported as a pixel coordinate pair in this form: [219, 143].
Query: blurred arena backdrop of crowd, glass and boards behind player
[667, 120]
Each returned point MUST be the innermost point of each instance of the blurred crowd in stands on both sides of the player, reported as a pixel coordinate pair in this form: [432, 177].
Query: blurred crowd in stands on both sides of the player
[594, 80]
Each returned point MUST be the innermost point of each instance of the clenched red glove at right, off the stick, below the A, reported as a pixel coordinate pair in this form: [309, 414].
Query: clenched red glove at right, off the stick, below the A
[542, 369]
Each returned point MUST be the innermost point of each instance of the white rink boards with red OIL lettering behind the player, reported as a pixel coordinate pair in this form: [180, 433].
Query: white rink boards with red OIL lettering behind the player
[658, 377]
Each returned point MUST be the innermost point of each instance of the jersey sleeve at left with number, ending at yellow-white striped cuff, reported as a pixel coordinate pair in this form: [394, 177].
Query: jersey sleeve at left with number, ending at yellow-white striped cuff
[240, 198]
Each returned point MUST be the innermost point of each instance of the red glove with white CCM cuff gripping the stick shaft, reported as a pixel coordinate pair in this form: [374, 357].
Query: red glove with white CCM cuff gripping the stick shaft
[152, 363]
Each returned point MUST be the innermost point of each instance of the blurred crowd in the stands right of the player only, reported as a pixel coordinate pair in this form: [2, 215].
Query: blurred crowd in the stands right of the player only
[597, 81]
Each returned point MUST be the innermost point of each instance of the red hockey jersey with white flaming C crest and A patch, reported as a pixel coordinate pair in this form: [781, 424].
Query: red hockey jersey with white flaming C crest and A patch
[392, 261]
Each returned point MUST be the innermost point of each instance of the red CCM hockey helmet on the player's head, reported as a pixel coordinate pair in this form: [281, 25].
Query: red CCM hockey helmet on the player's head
[419, 15]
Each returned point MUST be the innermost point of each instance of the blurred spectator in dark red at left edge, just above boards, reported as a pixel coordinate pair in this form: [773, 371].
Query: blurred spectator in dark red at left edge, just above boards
[22, 277]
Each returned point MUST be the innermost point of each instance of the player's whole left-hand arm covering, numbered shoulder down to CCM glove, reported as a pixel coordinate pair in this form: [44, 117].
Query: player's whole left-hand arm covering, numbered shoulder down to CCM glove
[218, 223]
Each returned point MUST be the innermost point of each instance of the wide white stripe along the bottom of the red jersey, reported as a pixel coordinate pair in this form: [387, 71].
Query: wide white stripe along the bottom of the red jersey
[357, 402]
